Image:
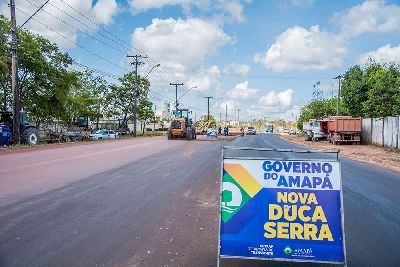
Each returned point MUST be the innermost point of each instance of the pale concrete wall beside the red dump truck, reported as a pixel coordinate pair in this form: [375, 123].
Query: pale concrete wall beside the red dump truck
[382, 131]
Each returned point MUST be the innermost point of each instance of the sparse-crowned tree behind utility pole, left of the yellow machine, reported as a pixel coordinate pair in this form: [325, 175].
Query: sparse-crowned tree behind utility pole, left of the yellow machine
[120, 98]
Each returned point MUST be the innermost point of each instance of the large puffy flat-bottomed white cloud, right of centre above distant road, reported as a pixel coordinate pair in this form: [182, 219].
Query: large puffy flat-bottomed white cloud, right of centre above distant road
[301, 49]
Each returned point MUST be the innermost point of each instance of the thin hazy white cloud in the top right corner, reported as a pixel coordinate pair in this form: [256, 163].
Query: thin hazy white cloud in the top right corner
[370, 16]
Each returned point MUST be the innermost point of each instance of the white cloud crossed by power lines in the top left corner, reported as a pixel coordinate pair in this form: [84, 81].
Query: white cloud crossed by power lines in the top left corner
[55, 12]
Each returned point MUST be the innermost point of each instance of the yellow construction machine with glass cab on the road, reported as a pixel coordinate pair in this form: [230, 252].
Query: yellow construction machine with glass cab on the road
[181, 126]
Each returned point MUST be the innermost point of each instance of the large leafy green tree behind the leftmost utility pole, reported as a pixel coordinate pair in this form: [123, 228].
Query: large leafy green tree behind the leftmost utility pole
[44, 78]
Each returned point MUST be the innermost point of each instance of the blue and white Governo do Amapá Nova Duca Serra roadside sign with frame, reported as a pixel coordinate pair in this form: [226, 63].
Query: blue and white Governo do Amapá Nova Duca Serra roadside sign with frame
[282, 208]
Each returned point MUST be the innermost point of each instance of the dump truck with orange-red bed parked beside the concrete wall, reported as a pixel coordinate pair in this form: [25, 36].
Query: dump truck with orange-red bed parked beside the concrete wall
[344, 129]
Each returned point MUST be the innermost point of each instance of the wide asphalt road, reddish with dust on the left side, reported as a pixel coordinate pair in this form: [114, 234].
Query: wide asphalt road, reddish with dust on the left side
[153, 202]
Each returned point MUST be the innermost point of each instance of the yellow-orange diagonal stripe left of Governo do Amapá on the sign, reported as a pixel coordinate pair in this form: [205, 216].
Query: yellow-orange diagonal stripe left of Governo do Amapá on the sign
[243, 178]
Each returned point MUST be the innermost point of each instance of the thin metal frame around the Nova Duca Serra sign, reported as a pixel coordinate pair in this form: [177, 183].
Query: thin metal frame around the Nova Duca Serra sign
[337, 159]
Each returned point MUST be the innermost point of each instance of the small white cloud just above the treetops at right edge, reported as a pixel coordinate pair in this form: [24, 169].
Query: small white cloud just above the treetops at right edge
[384, 54]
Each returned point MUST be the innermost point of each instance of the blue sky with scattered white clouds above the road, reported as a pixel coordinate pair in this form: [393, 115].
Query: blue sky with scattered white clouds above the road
[262, 57]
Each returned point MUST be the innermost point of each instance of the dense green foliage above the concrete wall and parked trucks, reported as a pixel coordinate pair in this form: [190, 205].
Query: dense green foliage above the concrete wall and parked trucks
[373, 91]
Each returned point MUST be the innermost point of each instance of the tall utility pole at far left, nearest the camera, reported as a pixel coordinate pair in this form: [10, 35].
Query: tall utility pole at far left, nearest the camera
[14, 75]
